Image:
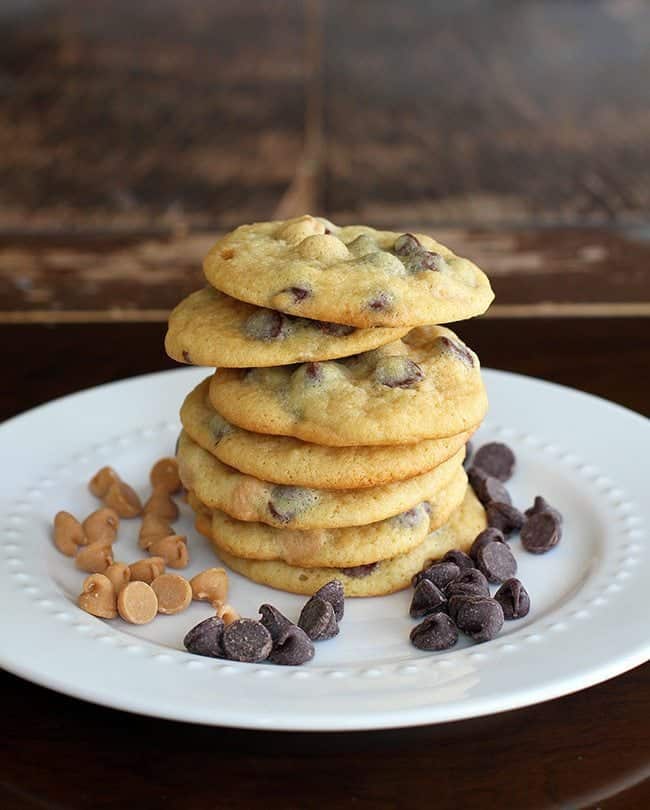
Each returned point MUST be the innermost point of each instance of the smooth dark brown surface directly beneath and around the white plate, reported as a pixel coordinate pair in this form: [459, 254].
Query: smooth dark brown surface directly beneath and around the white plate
[588, 750]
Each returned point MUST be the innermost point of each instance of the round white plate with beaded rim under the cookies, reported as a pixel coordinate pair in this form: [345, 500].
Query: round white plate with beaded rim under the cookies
[589, 617]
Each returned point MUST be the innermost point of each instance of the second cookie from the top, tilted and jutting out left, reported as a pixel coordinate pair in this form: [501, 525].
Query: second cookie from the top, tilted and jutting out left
[209, 328]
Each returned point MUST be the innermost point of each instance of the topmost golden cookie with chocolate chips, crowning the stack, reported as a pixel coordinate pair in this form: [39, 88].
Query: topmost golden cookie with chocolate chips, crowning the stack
[351, 275]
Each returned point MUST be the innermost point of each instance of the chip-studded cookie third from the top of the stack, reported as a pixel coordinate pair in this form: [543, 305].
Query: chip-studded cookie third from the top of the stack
[427, 385]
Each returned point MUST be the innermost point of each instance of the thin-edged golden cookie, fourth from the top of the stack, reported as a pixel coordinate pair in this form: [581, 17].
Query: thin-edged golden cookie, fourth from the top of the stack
[284, 460]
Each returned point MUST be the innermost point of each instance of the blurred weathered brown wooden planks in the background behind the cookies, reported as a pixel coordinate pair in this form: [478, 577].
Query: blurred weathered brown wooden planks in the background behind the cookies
[132, 134]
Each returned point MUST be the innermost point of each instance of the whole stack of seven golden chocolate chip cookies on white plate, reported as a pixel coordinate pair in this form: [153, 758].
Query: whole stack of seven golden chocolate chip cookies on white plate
[329, 442]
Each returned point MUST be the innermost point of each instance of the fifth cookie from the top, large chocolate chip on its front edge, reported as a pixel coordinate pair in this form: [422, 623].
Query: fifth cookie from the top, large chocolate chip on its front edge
[253, 500]
